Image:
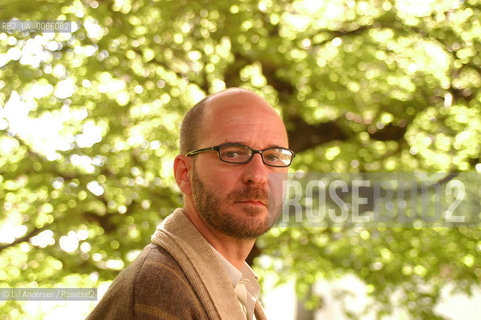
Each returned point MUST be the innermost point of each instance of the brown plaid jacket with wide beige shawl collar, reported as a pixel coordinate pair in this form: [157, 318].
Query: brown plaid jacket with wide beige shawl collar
[176, 277]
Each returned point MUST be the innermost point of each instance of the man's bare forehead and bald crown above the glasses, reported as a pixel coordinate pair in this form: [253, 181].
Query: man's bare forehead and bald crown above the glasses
[242, 116]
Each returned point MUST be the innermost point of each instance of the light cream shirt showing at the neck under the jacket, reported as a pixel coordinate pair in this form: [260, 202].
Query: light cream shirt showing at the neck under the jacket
[245, 285]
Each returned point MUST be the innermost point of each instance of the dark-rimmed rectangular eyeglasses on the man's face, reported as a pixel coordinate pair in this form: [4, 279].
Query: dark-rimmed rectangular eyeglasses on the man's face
[238, 153]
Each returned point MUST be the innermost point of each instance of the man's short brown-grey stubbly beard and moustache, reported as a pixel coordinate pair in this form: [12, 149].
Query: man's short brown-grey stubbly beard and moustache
[208, 205]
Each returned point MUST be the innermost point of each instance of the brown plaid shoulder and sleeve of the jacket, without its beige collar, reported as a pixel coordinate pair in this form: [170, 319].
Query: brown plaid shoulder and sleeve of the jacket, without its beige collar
[152, 287]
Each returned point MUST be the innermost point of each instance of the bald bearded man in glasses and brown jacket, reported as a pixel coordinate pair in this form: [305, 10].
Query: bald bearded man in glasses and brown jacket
[231, 143]
